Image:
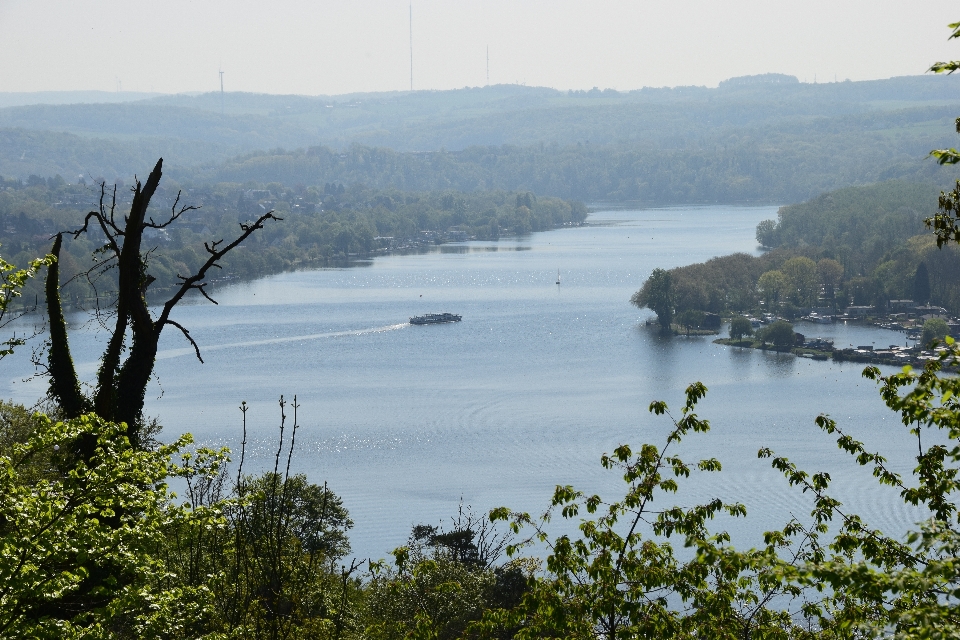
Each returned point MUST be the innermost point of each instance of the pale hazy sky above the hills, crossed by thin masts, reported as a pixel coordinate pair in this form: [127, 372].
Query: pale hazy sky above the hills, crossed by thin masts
[340, 46]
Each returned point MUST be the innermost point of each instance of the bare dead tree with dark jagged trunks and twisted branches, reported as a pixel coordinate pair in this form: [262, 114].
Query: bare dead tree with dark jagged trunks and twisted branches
[121, 383]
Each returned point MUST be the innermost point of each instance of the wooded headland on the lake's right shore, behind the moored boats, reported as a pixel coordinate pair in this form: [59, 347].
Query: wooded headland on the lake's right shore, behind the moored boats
[860, 245]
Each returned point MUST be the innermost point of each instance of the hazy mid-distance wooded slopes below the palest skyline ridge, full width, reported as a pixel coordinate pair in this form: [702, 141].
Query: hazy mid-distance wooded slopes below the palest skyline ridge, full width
[770, 162]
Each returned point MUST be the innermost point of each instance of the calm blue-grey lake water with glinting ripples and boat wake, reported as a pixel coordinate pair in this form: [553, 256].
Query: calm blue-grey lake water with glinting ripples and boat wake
[527, 392]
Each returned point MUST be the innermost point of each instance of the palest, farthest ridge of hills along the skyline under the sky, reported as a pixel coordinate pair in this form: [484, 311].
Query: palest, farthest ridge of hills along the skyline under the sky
[431, 120]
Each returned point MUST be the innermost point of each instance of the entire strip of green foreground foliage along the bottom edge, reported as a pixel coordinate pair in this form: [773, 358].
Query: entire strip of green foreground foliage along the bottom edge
[96, 546]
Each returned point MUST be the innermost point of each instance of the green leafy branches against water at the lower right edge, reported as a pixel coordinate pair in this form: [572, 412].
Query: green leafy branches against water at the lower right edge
[875, 584]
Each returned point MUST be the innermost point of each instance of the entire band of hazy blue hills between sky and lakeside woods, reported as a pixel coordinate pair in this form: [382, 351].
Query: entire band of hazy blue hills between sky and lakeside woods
[759, 138]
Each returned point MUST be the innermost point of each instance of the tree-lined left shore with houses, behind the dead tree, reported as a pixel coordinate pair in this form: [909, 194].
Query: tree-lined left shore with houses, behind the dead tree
[321, 225]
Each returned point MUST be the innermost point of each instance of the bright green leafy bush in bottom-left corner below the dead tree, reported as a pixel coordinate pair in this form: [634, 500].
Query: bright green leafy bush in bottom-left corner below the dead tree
[77, 537]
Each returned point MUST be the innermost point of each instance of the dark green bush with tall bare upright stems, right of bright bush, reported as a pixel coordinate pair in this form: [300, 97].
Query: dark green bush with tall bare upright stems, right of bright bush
[272, 569]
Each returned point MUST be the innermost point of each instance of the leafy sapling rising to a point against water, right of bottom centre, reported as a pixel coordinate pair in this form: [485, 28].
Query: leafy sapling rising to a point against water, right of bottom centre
[621, 578]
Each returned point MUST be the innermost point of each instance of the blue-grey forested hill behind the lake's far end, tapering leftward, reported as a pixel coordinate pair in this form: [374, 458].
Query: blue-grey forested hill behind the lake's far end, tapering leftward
[768, 165]
